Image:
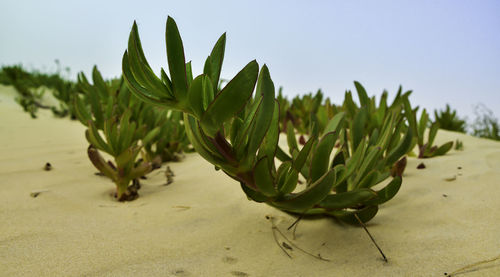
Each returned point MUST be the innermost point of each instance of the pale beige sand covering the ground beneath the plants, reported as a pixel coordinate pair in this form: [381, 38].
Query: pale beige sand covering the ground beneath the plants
[203, 225]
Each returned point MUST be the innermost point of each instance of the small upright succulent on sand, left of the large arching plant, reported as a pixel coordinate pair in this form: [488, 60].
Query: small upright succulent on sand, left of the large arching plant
[113, 131]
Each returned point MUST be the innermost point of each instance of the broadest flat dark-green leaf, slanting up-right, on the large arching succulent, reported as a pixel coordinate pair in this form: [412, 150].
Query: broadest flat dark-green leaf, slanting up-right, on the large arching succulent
[231, 99]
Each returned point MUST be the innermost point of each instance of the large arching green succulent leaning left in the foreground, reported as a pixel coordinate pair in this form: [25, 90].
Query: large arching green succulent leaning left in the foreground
[239, 134]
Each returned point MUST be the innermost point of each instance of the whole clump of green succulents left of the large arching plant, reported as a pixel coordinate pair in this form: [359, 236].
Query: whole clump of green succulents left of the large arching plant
[126, 129]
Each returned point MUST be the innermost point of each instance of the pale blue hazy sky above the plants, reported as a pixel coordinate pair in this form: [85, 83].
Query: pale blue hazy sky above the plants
[445, 51]
